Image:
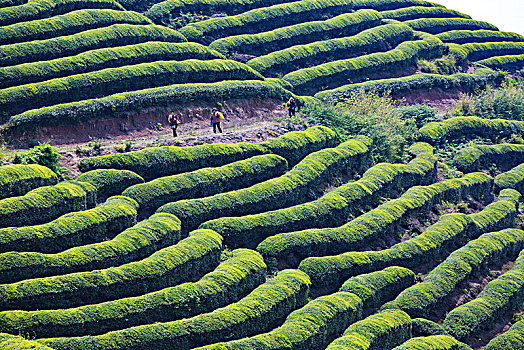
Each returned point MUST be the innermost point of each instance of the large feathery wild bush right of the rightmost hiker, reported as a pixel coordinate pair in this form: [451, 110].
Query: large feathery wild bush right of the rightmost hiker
[370, 114]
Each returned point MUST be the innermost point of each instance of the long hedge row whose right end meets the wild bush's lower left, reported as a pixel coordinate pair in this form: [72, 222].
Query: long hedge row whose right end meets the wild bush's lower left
[279, 192]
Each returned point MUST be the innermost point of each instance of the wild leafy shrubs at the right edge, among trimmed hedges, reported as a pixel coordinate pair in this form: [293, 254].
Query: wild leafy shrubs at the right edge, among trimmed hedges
[506, 102]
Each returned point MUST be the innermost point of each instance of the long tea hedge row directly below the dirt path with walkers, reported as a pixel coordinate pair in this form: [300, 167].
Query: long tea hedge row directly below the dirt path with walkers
[154, 162]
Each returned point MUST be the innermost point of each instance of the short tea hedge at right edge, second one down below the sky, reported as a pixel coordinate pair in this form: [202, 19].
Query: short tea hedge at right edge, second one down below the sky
[481, 51]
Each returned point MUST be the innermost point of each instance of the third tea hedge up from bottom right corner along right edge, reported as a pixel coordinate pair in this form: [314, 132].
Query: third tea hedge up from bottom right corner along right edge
[421, 298]
